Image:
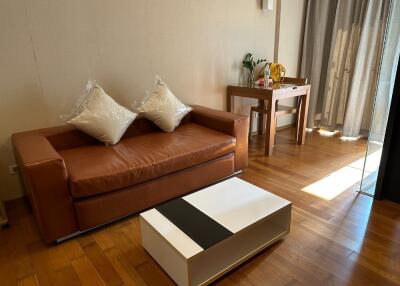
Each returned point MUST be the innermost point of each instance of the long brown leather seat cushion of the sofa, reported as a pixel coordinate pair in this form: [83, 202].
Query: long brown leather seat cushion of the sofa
[99, 169]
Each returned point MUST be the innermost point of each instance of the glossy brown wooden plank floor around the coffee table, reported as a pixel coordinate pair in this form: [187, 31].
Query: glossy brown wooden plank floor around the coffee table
[348, 240]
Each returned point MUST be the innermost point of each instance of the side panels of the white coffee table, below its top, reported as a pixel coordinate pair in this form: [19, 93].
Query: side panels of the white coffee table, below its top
[210, 264]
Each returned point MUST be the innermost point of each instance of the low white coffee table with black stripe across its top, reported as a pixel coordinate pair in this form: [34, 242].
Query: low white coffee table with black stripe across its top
[199, 237]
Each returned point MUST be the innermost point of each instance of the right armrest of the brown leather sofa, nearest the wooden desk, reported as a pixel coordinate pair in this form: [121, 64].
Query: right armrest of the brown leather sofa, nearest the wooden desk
[233, 124]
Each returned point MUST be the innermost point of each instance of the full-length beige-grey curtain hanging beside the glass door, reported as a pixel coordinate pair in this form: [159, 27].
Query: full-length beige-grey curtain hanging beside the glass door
[341, 55]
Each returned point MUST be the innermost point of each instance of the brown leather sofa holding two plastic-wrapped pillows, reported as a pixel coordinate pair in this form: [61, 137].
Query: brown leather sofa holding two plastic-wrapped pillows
[75, 183]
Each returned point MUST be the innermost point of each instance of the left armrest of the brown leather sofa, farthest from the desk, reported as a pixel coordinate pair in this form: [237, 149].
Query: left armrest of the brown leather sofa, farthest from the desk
[46, 182]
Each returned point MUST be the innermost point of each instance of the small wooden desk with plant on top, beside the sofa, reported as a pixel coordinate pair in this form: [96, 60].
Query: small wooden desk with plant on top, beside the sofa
[271, 95]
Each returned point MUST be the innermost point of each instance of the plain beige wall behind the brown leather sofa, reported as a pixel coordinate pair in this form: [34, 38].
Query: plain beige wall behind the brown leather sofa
[49, 49]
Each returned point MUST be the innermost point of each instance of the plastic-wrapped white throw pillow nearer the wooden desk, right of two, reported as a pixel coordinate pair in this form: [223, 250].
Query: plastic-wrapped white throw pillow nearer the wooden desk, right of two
[163, 108]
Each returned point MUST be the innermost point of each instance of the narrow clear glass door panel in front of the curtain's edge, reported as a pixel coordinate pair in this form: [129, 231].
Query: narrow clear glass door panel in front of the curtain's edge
[383, 99]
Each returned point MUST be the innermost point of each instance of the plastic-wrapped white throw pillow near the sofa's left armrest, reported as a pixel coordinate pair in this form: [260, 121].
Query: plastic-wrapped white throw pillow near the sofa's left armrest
[101, 117]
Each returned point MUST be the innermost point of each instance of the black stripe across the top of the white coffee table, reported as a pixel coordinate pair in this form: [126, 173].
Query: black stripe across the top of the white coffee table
[197, 225]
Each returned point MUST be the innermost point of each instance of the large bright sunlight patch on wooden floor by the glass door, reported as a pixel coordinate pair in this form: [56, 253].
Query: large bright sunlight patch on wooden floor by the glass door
[339, 181]
